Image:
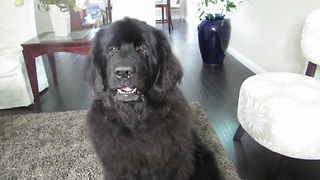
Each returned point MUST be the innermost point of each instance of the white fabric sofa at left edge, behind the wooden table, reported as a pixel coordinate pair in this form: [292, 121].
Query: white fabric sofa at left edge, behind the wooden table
[18, 26]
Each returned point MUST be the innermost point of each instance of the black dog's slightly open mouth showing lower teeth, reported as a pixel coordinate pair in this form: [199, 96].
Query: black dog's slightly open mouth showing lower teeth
[128, 94]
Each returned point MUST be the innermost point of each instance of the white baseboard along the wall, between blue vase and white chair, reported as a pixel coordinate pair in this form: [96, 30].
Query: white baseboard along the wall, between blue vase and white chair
[245, 61]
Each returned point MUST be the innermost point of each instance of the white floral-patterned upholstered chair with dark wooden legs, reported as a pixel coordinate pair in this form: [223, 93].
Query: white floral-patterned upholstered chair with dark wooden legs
[281, 110]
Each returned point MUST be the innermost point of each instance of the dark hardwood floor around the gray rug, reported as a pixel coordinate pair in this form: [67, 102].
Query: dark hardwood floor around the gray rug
[215, 87]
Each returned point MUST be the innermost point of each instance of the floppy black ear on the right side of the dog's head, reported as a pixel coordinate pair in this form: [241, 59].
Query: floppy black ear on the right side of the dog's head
[170, 71]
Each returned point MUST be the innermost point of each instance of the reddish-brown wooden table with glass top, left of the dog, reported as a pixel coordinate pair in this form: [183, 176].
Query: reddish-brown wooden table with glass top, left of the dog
[78, 42]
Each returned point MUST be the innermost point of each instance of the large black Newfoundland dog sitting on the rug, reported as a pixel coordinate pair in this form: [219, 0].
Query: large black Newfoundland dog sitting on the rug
[139, 123]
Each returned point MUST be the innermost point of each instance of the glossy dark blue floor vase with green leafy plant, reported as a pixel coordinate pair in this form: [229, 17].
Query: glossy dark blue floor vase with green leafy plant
[214, 30]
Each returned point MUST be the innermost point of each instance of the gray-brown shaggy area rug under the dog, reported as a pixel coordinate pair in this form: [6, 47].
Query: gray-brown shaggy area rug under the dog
[53, 146]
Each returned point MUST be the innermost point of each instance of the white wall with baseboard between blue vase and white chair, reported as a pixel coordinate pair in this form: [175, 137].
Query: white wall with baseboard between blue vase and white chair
[266, 34]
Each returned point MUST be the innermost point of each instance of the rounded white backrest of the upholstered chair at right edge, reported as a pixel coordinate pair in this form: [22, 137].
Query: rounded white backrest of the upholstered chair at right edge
[310, 38]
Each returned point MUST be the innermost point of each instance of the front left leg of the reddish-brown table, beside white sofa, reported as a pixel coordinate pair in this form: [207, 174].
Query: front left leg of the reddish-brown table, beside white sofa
[32, 73]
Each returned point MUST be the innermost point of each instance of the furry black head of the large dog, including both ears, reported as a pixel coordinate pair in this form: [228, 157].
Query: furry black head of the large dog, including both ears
[131, 60]
